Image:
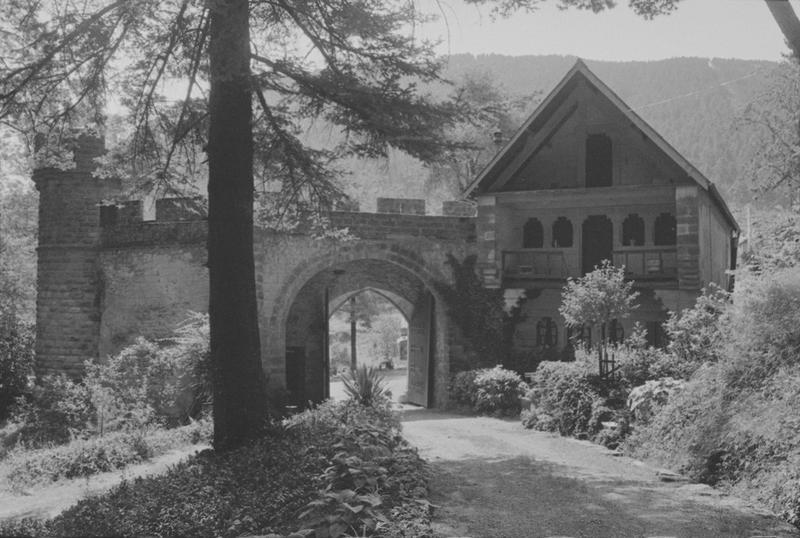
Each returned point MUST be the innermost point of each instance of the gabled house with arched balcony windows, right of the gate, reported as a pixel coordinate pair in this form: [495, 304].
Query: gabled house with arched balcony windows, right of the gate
[585, 179]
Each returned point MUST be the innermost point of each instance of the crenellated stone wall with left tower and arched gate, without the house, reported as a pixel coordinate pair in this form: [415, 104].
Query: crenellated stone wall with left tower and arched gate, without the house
[106, 276]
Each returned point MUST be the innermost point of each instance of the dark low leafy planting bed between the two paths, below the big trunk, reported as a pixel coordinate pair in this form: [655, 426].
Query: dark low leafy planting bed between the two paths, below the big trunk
[326, 460]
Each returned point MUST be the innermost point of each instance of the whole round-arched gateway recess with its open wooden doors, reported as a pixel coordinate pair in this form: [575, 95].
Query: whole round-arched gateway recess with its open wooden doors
[310, 339]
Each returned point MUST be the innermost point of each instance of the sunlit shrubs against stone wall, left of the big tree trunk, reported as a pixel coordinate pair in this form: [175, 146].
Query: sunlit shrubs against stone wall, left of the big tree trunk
[144, 384]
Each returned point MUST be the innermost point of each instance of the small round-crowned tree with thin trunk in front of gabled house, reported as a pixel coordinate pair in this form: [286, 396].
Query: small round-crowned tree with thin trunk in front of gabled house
[596, 299]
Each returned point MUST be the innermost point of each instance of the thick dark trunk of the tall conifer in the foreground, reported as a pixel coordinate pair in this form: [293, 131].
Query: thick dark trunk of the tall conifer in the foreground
[240, 404]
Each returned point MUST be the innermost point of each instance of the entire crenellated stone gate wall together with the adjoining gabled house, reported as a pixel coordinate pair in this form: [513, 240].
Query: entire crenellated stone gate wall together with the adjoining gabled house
[584, 179]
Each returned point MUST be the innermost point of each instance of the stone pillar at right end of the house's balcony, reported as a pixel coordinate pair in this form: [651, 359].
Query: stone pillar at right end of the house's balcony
[687, 200]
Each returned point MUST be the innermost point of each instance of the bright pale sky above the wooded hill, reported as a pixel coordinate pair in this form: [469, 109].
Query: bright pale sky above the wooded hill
[703, 28]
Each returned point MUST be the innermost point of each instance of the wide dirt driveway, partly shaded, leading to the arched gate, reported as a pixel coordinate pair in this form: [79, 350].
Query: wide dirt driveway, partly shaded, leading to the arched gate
[495, 479]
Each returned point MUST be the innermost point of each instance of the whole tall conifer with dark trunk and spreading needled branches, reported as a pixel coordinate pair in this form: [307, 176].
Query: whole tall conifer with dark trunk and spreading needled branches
[249, 74]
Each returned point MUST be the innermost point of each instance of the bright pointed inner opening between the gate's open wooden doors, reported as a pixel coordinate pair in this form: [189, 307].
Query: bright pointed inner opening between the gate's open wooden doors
[369, 329]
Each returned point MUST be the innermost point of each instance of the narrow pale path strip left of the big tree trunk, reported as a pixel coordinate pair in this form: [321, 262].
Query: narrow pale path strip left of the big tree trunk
[49, 501]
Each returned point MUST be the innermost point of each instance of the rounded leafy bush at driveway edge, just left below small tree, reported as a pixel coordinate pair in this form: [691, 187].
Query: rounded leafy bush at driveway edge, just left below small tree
[562, 398]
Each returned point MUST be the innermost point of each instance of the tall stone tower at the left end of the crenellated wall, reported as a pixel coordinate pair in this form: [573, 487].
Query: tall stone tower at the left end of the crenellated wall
[68, 279]
